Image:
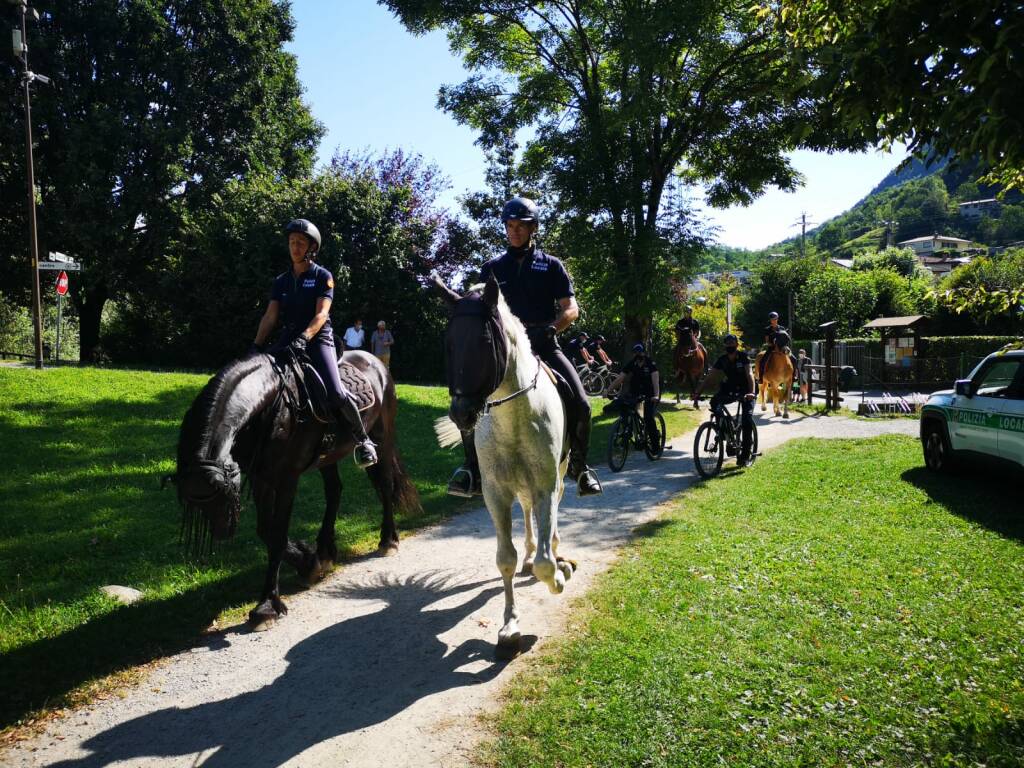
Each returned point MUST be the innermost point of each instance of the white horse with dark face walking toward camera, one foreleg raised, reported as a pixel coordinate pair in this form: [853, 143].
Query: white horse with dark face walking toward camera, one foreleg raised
[499, 388]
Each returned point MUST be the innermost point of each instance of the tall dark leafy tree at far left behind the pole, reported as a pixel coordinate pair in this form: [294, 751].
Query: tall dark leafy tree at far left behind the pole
[157, 105]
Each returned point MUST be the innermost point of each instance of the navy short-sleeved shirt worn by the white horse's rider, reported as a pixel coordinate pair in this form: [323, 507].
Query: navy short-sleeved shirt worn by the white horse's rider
[532, 287]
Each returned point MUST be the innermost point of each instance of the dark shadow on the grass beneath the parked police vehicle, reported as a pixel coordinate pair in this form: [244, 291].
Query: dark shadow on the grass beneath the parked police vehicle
[988, 495]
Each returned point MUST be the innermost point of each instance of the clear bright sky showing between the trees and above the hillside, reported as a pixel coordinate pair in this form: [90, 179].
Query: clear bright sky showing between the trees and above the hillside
[375, 88]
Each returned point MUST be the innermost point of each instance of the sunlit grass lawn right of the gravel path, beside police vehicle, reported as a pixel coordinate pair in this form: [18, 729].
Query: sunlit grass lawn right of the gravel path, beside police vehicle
[837, 605]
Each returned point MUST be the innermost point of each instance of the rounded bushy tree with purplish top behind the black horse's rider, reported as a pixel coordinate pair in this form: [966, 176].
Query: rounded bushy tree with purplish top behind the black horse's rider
[382, 232]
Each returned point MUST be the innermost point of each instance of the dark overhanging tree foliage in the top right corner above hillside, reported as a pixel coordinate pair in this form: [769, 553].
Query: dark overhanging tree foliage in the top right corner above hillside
[944, 77]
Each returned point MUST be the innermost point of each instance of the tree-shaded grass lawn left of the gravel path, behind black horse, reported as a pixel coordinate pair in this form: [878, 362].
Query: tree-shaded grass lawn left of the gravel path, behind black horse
[82, 451]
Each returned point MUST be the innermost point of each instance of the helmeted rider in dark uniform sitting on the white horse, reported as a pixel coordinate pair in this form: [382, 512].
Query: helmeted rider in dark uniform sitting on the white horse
[539, 292]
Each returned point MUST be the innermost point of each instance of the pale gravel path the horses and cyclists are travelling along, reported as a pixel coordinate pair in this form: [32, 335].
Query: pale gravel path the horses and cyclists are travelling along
[389, 662]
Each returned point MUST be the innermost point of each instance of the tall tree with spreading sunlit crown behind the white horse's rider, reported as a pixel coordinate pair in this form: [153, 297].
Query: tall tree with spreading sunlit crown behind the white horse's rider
[622, 99]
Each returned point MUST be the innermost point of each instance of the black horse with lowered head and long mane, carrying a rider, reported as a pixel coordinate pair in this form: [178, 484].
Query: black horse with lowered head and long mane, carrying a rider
[253, 418]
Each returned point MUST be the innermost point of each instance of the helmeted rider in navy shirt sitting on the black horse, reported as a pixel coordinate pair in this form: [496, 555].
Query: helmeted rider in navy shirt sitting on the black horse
[301, 302]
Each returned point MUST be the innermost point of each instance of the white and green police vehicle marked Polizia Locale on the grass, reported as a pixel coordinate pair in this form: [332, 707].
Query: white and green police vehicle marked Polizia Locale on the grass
[983, 416]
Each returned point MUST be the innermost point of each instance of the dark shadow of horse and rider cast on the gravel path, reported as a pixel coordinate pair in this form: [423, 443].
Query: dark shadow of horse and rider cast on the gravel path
[350, 676]
